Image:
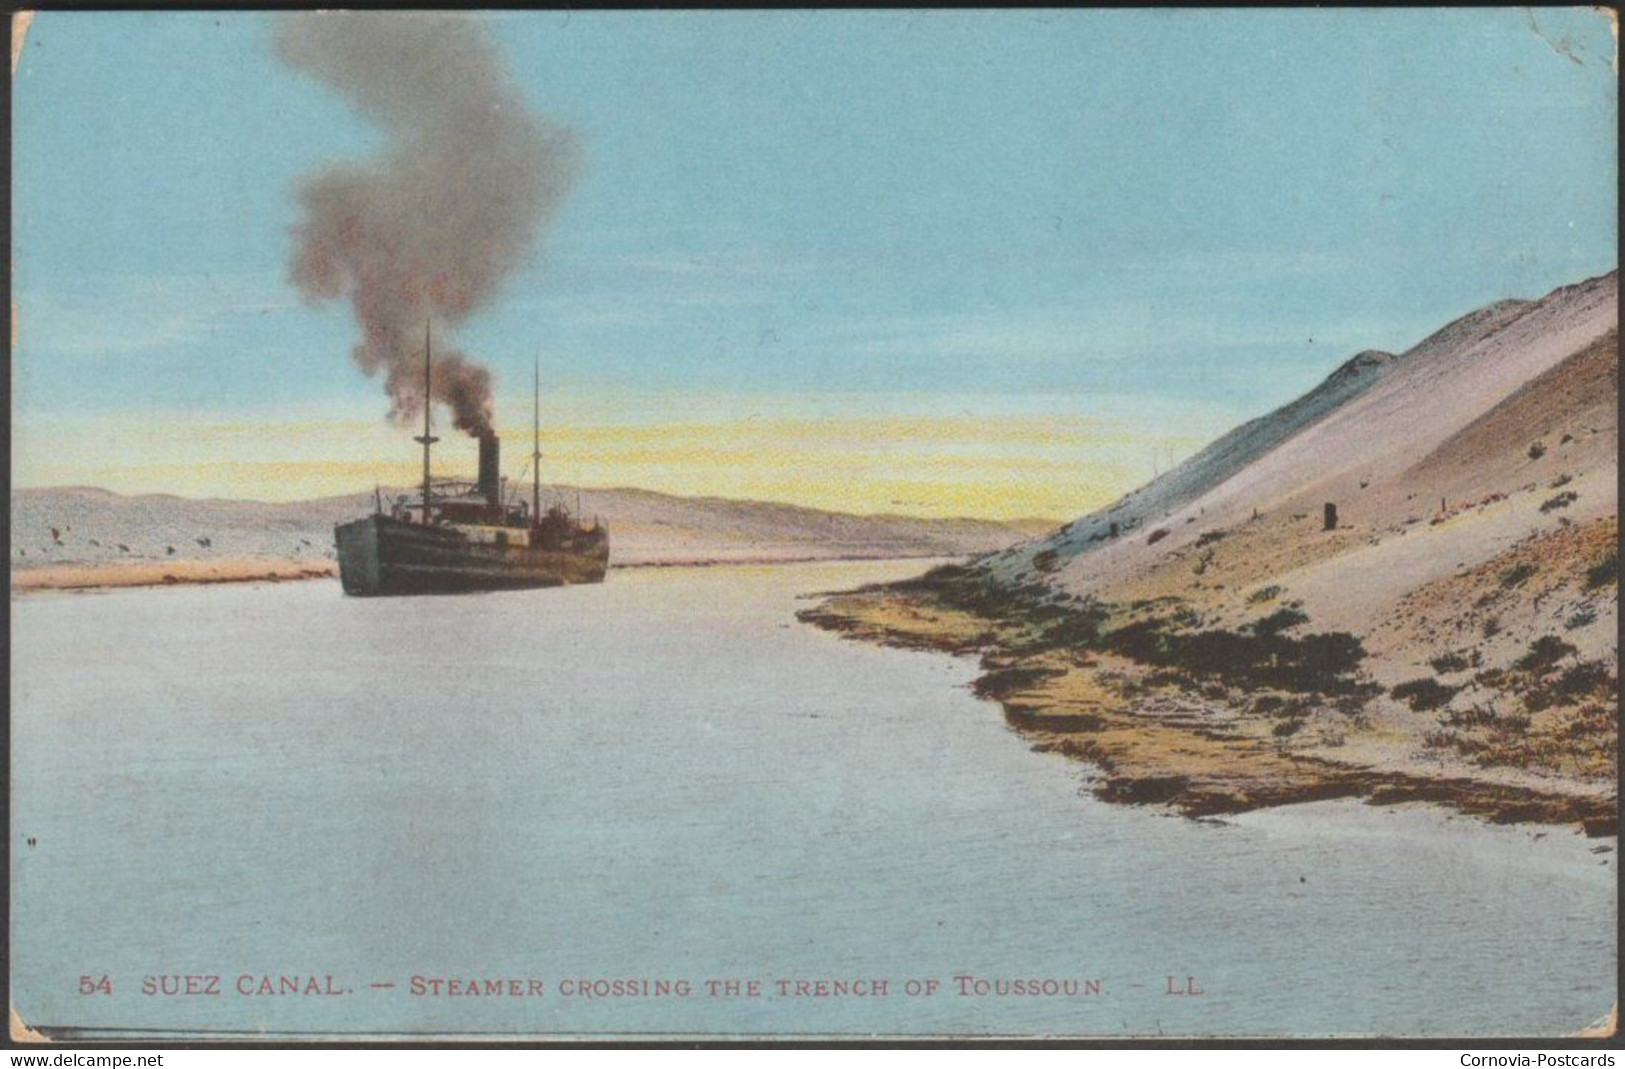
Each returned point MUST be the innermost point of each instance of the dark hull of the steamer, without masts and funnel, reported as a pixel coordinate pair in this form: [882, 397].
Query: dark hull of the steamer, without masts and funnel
[381, 556]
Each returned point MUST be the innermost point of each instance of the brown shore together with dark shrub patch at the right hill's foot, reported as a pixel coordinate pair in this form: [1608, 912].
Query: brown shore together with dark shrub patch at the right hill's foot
[1205, 721]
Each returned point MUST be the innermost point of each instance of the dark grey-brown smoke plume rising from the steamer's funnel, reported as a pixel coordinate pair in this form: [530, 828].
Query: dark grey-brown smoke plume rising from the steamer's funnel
[449, 209]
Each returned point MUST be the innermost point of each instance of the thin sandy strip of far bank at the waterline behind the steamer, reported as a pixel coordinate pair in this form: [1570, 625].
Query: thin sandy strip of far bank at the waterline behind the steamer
[134, 576]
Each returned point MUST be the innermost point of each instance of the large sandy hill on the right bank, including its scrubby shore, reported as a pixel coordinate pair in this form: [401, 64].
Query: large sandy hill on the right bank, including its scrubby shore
[1406, 574]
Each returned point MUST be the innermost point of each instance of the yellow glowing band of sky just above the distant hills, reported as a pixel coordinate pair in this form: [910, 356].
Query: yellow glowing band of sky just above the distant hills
[1005, 469]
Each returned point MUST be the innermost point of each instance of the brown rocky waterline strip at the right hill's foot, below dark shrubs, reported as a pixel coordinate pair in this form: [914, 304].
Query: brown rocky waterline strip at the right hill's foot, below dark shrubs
[1192, 751]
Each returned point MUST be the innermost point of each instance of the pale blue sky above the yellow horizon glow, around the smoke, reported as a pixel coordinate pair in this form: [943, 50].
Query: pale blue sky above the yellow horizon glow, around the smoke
[1161, 206]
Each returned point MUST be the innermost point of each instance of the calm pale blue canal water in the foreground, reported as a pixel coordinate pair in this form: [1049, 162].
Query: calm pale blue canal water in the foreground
[662, 807]
